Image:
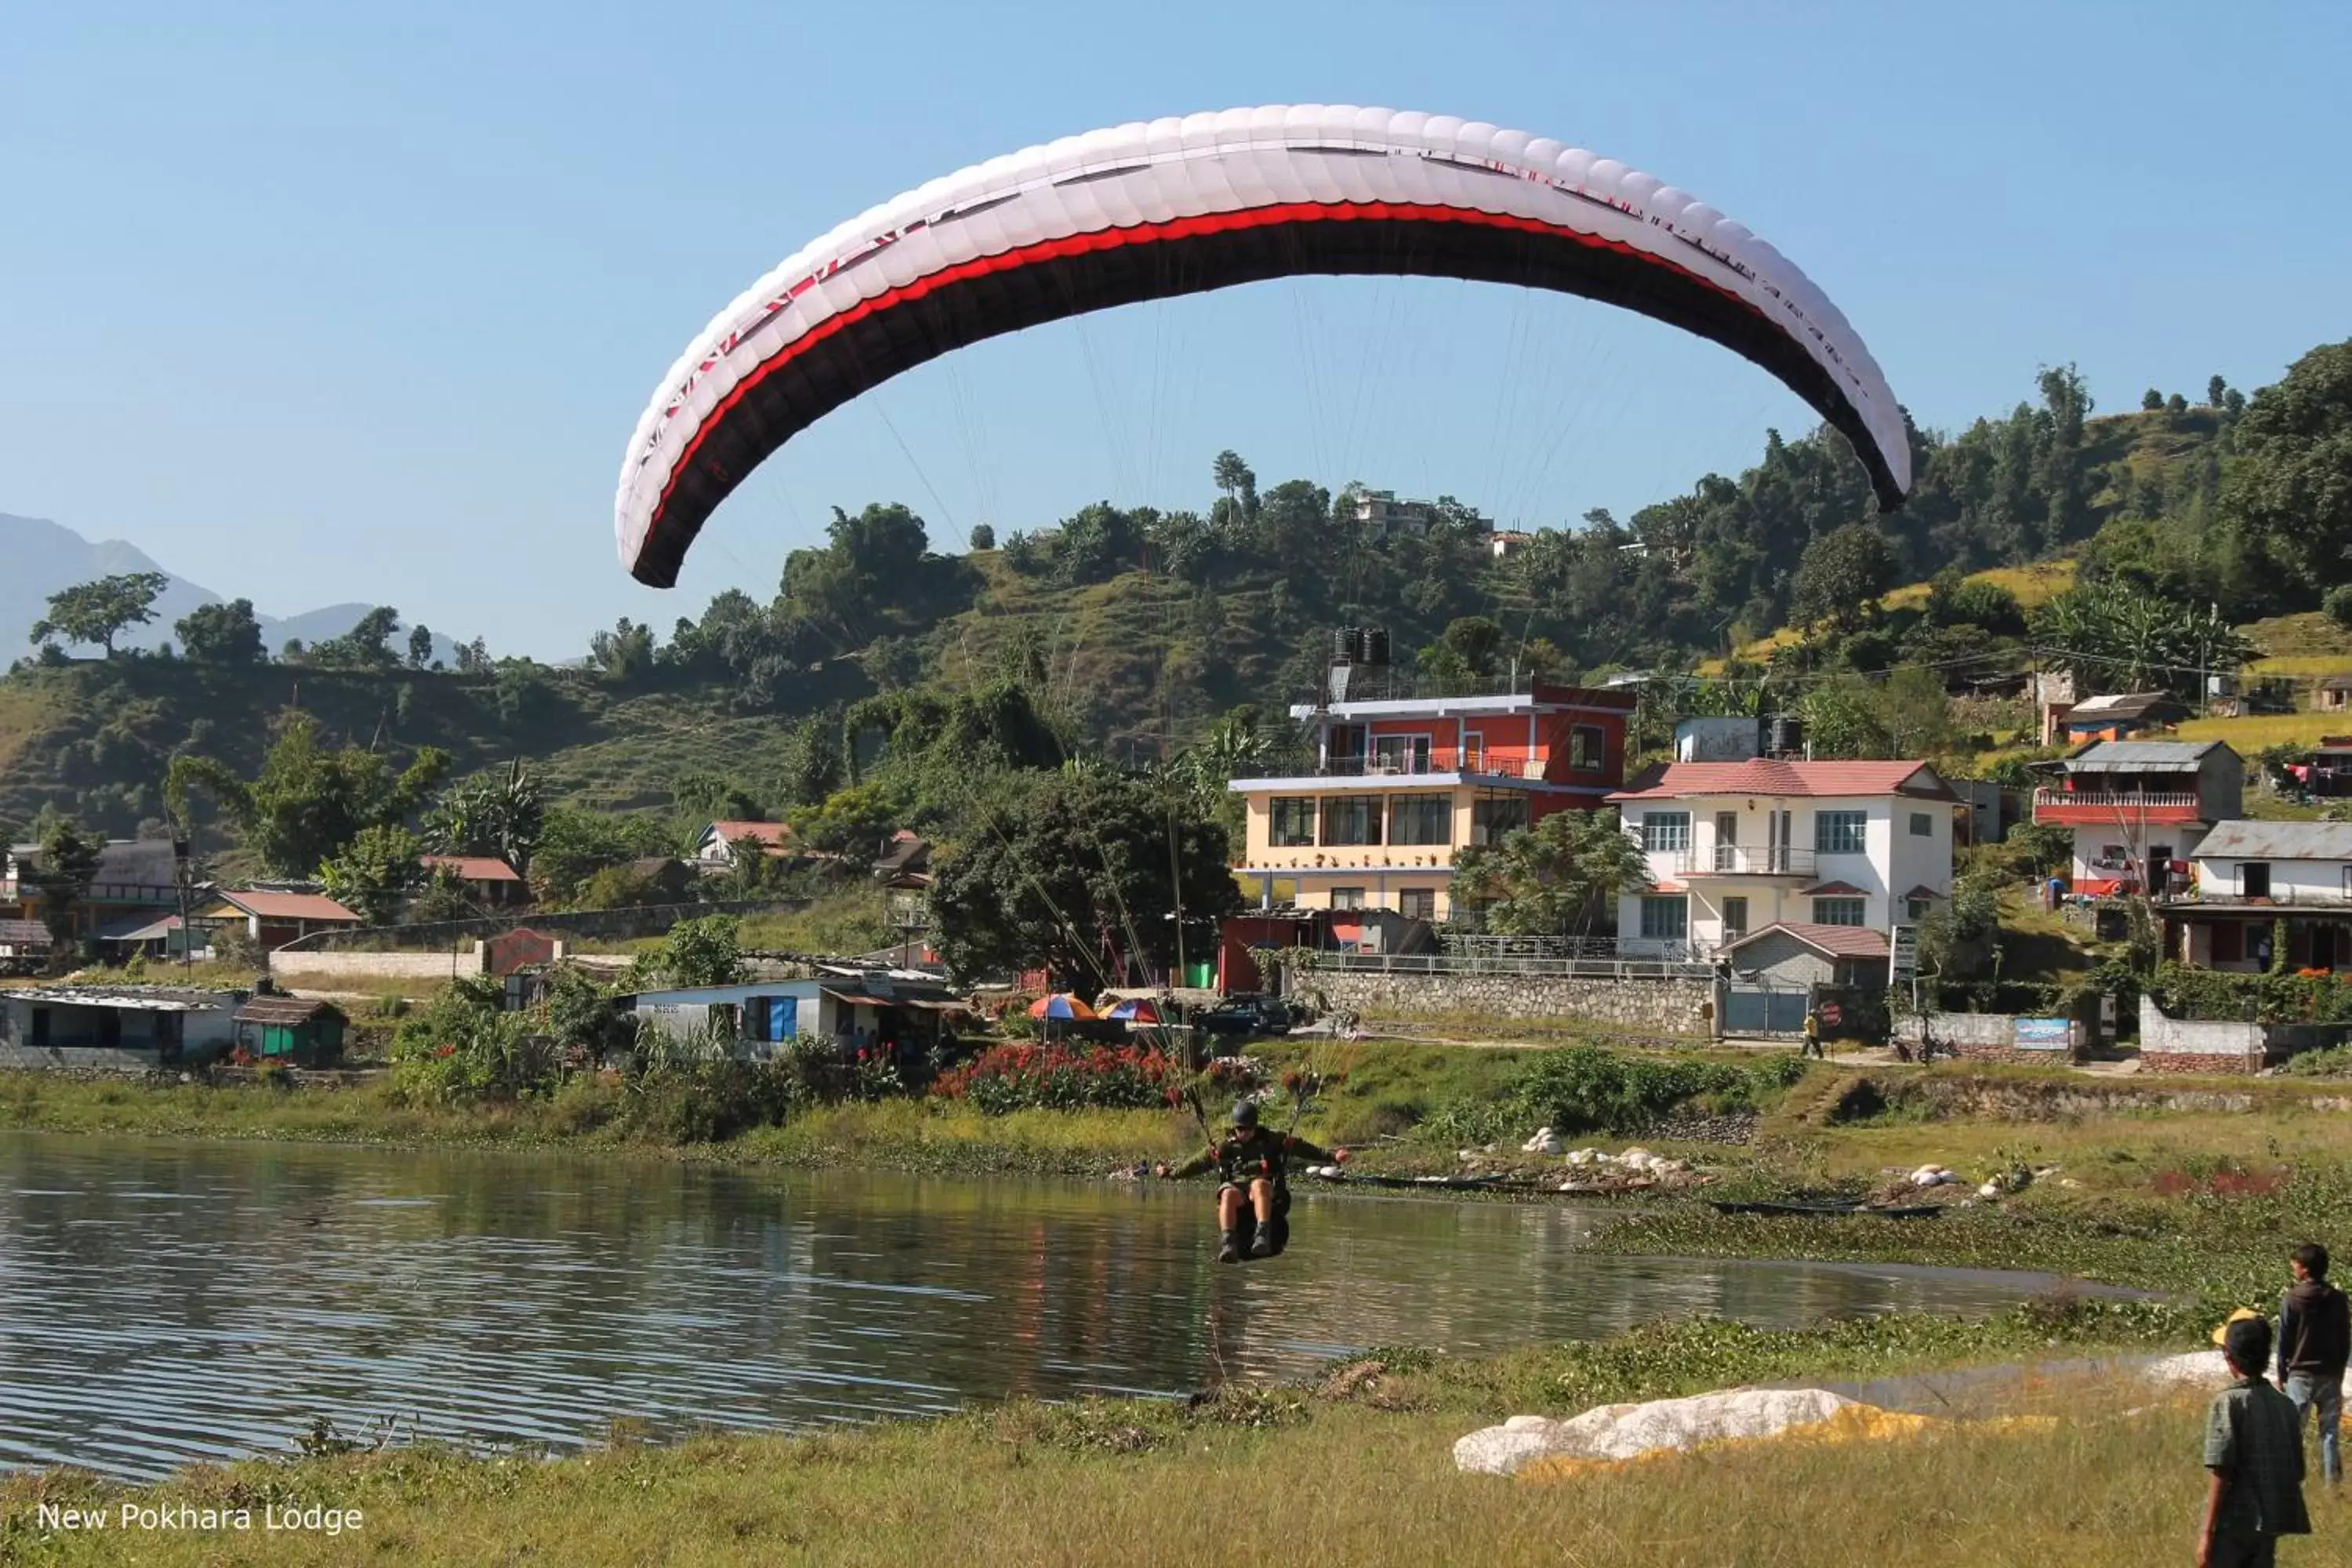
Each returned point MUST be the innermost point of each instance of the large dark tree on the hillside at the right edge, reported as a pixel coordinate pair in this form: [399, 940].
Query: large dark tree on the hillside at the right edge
[2287, 488]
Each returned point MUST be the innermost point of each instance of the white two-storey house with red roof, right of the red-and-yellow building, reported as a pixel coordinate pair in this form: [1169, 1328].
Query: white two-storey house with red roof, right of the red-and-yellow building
[1831, 855]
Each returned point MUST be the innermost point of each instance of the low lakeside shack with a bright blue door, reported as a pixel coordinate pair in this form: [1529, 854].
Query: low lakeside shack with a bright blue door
[853, 1010]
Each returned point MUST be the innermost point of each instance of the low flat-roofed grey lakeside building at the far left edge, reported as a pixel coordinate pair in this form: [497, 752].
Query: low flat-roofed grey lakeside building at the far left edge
[138, 1028]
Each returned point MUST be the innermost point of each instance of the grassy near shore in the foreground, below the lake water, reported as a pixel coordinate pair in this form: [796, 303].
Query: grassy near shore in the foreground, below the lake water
[1351, 1468]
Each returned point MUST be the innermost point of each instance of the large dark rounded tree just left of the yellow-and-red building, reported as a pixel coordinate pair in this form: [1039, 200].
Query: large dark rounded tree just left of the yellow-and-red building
[1074, 871]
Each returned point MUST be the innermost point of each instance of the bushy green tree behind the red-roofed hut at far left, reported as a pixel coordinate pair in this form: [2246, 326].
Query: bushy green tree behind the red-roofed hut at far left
[307, 803]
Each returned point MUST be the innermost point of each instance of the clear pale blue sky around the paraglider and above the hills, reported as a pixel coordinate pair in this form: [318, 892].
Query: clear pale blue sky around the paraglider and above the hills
[363, 302]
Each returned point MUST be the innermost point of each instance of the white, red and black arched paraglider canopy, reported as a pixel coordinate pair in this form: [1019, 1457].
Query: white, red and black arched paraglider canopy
[1205, 203]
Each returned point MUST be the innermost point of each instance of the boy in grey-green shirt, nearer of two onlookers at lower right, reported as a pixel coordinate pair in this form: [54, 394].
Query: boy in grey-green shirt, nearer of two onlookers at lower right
[2254, 1449]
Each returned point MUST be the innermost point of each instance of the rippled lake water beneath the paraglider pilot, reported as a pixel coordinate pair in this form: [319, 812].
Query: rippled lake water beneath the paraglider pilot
[187, 1301]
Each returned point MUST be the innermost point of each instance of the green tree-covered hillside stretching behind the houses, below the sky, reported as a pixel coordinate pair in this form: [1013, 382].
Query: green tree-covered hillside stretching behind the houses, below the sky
[886, 681]
